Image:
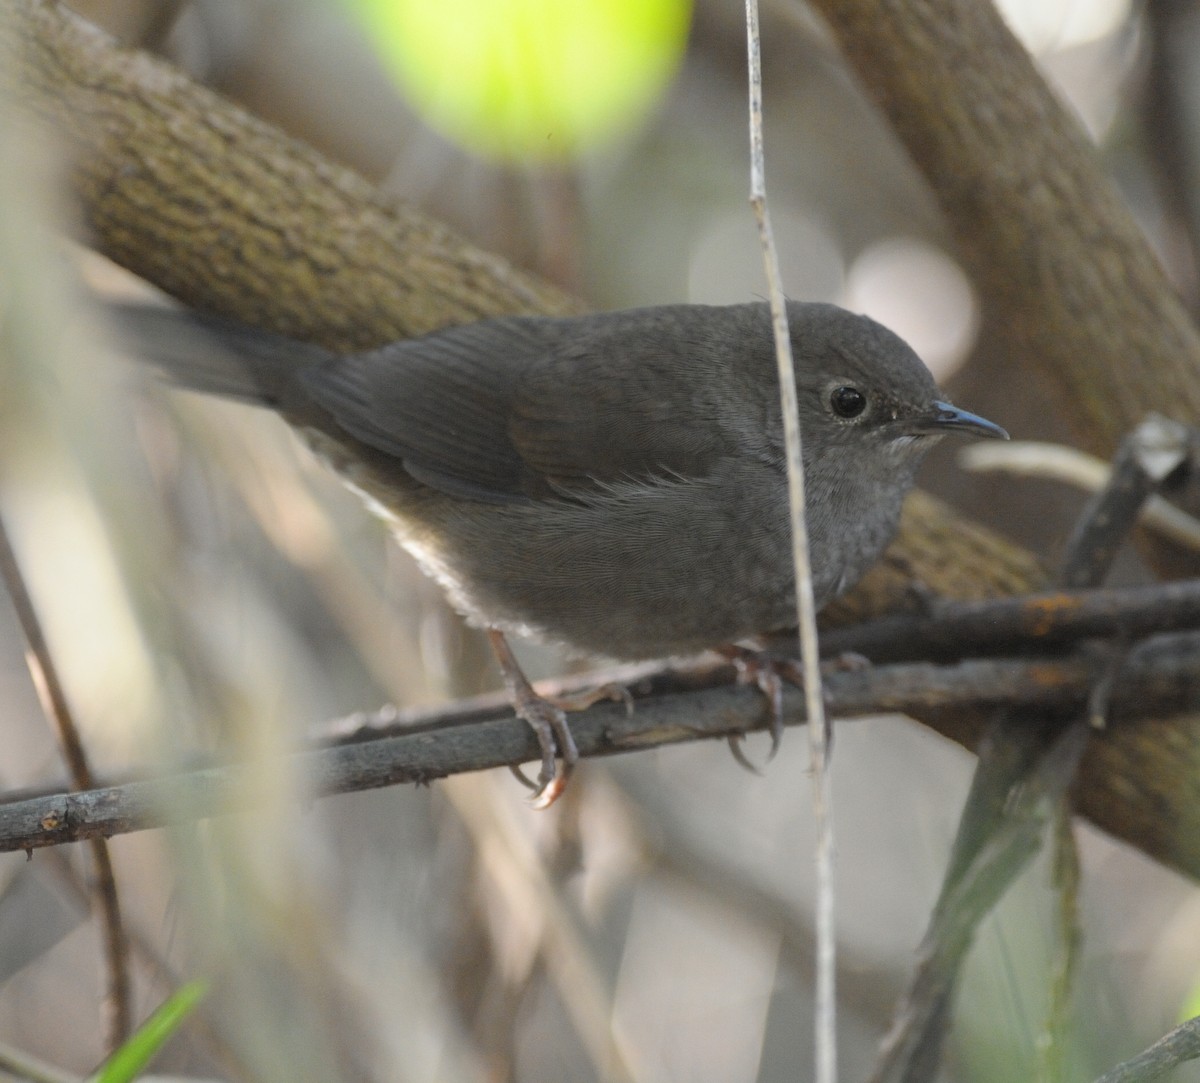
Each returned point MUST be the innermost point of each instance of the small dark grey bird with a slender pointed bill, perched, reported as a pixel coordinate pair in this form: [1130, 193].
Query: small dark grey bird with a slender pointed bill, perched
[614, 483]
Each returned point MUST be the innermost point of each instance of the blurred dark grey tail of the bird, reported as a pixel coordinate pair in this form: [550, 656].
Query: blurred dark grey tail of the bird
[213, 355]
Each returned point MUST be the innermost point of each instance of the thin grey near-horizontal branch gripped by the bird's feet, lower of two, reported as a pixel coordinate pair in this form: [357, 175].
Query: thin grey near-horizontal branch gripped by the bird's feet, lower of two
[1162, 675]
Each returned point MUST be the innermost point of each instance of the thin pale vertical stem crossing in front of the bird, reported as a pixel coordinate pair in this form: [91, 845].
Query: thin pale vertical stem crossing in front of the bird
[811, 657]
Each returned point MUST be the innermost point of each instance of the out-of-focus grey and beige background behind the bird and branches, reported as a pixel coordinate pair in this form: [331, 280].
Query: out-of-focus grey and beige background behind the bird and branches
[208, 587]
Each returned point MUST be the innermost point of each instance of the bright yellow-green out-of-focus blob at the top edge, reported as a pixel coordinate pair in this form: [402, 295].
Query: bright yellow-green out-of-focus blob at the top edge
[531, 79]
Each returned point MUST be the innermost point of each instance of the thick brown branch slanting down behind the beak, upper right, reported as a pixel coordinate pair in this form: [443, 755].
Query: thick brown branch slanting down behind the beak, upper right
[1066, 277]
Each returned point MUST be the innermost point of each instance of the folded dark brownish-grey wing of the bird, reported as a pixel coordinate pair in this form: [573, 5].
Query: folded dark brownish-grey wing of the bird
[506, 411]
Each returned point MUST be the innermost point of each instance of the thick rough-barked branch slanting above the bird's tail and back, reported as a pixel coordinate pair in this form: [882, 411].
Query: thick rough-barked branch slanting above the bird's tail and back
[230, 216]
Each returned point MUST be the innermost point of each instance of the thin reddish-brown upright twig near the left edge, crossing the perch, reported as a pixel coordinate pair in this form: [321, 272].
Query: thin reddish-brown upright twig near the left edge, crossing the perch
[118, 1001]
